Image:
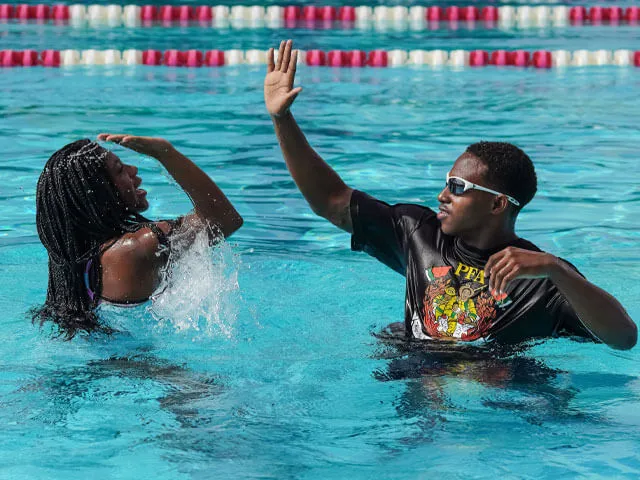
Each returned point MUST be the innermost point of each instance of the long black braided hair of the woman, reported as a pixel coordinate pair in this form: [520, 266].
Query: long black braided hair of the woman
[78, 209]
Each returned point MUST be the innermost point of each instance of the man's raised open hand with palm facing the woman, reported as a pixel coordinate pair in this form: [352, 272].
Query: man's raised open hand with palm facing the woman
[279, 93]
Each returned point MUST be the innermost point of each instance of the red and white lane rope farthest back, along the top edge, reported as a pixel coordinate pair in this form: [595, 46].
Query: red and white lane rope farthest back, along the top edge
[398, 17]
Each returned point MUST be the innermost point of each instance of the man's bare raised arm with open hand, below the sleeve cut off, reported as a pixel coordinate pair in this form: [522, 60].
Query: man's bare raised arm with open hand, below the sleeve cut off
[321, 186]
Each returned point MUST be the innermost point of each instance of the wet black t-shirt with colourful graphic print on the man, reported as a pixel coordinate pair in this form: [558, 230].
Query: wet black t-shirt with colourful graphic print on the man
[447, 295]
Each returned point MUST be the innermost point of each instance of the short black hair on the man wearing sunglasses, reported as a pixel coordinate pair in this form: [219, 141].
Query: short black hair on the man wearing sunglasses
[509, 169]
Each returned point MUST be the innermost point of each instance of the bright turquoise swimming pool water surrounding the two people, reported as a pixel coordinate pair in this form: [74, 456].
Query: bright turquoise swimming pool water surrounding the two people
[285, 379]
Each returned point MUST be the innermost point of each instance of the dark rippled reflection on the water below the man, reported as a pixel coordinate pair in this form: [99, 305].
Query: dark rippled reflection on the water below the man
[448, 379]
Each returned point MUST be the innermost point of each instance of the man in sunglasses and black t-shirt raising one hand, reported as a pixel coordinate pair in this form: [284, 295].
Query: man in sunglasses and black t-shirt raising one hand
[469, 276]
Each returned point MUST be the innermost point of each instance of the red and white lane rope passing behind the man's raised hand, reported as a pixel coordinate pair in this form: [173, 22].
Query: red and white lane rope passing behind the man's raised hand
[542, 59]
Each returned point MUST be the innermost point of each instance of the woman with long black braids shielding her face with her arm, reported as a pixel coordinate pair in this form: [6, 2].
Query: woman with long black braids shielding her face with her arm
[88, 215]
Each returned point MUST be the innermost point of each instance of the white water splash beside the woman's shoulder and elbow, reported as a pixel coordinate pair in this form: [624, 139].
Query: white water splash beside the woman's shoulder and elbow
[200, 291]
